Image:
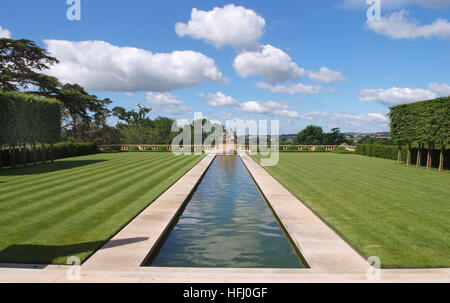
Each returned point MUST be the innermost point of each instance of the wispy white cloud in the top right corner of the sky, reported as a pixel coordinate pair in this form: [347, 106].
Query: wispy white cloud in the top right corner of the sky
[400, 26]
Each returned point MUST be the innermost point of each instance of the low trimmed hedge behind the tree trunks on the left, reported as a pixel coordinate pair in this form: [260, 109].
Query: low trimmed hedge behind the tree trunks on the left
[60, 150]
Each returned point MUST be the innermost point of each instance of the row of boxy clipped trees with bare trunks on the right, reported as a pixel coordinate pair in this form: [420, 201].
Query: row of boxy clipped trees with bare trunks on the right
[422, 123]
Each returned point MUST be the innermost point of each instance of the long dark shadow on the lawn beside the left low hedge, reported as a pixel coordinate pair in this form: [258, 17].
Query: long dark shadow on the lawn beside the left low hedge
[45, 168]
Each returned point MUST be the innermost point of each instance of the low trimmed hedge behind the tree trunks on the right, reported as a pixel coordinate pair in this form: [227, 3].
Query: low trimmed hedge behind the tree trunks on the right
[391, 152]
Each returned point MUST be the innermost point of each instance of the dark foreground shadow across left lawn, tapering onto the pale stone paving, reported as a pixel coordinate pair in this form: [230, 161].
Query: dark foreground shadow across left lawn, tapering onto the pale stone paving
[45, 254]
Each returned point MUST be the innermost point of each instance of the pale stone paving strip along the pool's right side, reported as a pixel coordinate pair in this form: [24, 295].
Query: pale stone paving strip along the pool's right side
[320, 246]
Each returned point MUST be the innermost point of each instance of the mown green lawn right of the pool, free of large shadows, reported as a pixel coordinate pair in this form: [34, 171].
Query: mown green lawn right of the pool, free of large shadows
[398, 213]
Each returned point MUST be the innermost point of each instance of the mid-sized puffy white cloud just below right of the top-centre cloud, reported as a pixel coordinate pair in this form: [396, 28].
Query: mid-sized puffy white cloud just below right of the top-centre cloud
[271, 63]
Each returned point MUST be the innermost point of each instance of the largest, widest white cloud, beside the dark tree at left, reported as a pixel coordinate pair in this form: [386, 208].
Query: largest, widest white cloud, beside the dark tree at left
[100, 66]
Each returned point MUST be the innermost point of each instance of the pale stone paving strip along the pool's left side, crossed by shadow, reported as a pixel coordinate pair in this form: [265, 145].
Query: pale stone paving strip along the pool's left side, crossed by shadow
[129, 248]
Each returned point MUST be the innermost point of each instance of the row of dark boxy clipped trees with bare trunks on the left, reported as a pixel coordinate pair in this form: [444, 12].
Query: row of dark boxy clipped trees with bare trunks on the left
[28, 120]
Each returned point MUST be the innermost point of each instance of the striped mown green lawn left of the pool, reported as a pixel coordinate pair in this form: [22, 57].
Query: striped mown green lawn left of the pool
[71, 207]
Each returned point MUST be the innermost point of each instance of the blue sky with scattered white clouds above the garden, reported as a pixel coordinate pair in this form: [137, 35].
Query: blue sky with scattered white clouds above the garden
[301, 62]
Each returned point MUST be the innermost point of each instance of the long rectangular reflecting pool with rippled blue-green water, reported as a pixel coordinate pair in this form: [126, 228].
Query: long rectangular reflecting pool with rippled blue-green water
[227, 223]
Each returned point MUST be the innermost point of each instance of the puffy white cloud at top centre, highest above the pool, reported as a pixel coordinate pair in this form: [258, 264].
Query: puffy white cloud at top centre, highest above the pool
[231, 25]
